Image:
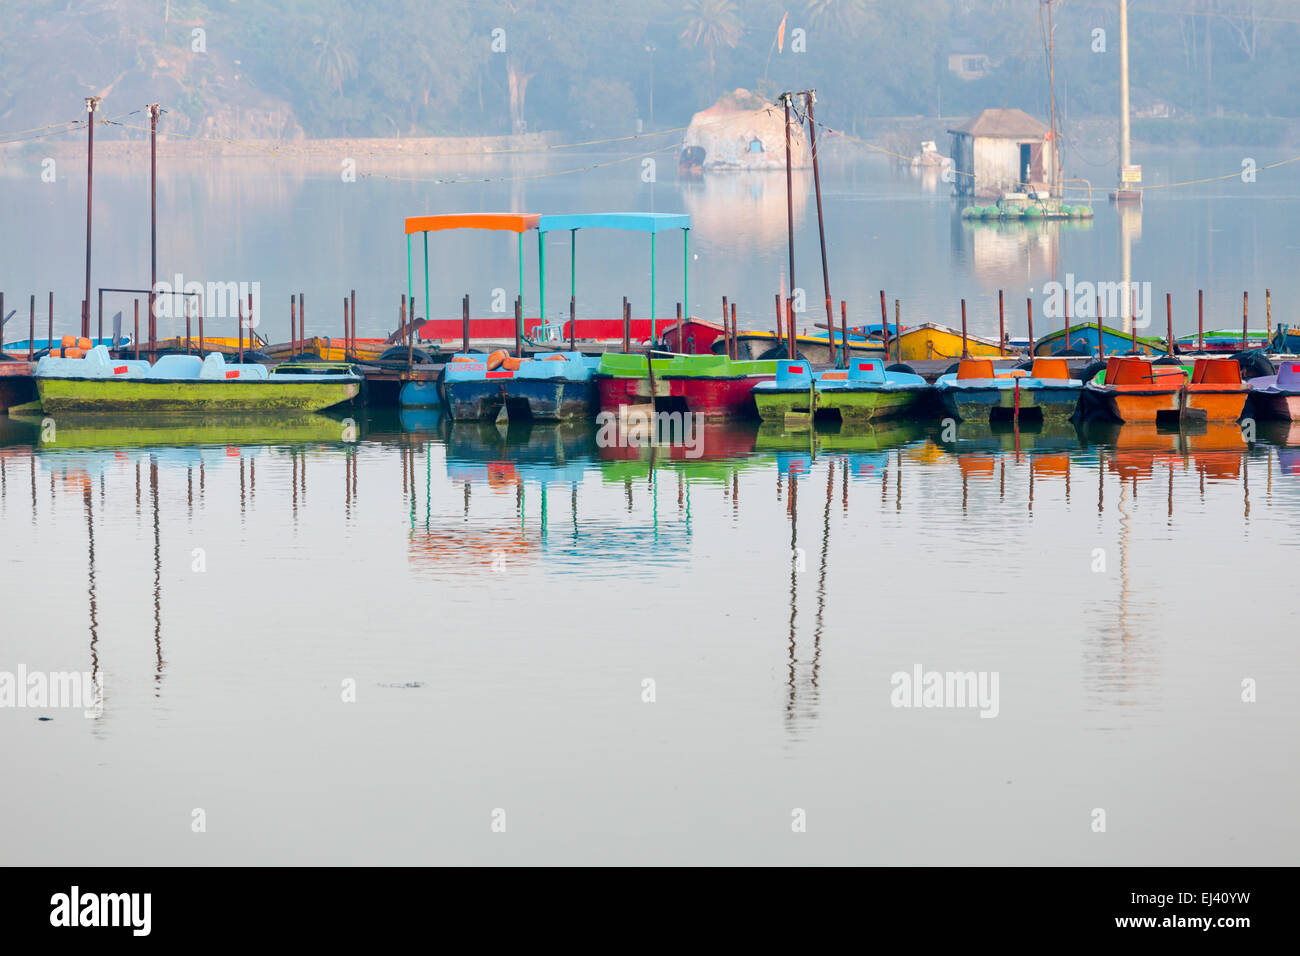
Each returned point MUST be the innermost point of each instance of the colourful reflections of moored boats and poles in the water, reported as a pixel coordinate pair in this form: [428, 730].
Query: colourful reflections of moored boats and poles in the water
[552, 501]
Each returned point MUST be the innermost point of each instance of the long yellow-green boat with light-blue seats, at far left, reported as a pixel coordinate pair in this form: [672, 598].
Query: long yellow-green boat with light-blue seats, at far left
[184, 383]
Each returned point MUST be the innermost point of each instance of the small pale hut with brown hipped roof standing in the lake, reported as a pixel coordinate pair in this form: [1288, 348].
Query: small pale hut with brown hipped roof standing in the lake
[1004, 152]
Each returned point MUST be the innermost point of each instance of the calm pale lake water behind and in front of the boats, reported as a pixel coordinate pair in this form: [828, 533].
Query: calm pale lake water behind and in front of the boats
[372, 641]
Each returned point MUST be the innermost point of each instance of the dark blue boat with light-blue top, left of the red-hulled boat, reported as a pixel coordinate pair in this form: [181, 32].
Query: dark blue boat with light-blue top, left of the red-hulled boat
[545, 388]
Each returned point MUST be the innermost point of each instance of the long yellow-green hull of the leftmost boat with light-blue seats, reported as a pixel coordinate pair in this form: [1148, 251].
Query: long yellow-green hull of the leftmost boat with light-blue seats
[164, 396]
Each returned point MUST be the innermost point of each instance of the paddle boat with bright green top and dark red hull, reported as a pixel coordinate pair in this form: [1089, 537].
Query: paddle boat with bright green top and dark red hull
[712, 386]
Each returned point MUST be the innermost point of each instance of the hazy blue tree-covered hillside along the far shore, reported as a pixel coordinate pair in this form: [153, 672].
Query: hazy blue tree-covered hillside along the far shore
[318, 68]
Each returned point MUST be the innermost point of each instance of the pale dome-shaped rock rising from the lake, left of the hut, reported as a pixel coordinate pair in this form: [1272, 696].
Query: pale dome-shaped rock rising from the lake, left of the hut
[742, 131]
